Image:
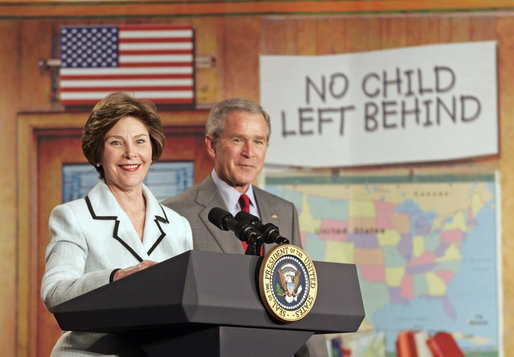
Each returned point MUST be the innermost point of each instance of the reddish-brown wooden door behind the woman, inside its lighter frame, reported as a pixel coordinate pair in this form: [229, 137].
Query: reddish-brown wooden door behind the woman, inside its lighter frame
[58, 147]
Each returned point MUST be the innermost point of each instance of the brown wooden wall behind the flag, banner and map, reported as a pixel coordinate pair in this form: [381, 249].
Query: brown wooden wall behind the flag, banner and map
[235, 38]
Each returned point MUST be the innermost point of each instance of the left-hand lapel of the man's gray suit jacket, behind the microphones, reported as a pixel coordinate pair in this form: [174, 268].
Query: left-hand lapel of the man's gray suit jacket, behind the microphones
[209, 197]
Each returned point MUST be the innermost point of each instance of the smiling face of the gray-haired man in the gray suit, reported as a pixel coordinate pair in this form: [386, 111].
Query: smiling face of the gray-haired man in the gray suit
[239, 153]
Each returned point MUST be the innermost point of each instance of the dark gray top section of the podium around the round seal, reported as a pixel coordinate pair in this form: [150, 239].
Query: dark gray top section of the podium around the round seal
[198, 288]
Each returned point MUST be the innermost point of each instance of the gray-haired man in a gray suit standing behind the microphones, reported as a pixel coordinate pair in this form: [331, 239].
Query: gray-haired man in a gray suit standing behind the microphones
[236, 136]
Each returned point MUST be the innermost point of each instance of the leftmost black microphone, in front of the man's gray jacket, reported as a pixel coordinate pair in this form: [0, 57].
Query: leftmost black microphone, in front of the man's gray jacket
[243, 230]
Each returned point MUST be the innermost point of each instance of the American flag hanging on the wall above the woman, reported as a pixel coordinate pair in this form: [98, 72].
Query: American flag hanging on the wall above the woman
[155, 62]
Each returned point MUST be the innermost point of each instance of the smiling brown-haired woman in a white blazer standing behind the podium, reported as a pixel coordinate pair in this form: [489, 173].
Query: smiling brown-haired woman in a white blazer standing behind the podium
[119, 228]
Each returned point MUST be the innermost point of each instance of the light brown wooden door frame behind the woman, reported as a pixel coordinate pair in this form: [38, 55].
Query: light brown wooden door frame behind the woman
[30, 126]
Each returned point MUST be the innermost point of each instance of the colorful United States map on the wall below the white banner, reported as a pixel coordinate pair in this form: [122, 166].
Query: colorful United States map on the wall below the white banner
[426, 249]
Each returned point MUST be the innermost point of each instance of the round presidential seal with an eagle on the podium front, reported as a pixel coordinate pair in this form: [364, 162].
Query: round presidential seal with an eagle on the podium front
[288, 283]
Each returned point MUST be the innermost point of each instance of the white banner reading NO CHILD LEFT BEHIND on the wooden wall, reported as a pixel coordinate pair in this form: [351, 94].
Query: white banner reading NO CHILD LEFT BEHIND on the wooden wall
[415, 104]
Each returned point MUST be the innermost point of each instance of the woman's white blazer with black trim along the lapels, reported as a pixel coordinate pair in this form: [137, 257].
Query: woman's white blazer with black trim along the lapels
[91, 237]
